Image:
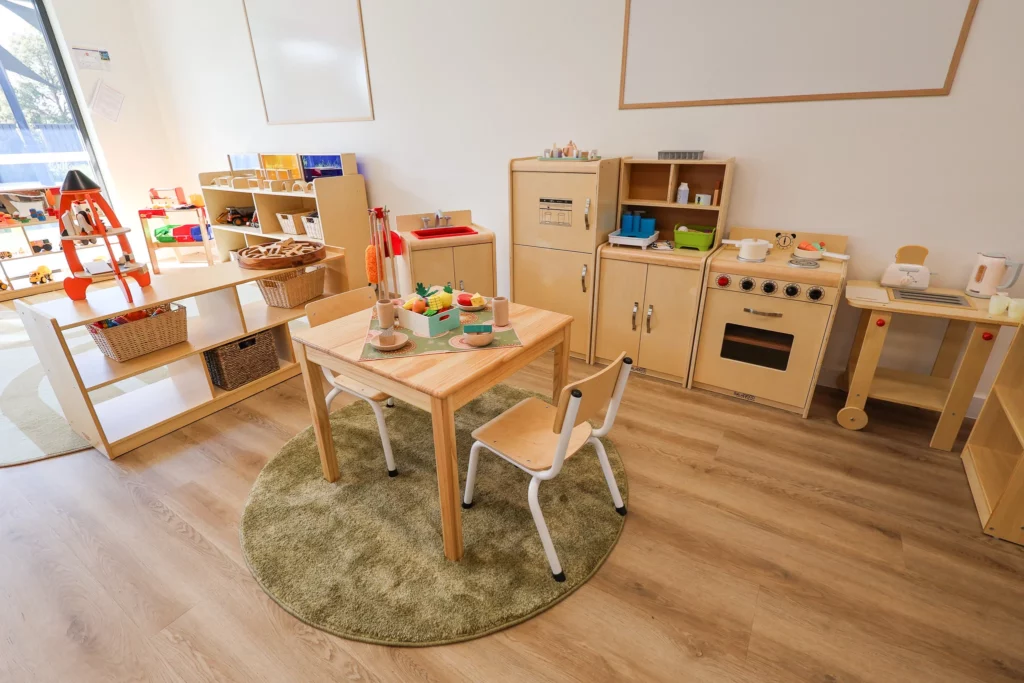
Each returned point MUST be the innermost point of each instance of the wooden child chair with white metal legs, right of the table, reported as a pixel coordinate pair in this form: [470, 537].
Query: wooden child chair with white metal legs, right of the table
[538, 438]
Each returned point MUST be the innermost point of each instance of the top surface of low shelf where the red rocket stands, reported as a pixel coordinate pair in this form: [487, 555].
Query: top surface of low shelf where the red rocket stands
[103, 304]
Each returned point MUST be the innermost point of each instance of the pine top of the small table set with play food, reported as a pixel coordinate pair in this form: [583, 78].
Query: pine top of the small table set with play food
[438, 375]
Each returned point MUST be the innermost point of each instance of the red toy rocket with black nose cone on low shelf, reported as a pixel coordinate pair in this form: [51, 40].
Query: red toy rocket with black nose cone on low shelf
[83, 212]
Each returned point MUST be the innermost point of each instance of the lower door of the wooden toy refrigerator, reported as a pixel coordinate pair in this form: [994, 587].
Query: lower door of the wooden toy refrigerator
[558, 281]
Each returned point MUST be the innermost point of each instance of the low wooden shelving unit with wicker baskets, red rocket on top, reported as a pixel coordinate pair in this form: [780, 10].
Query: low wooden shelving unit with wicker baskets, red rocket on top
[218, 317]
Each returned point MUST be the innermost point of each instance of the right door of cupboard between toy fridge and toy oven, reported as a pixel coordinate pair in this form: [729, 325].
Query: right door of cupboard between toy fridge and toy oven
[668, 319]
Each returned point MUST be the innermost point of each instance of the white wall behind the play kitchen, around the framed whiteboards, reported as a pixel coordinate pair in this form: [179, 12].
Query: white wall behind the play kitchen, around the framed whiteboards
[461, 87]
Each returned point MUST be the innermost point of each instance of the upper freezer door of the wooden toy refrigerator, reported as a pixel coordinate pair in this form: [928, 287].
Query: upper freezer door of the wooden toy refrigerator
[556, 210]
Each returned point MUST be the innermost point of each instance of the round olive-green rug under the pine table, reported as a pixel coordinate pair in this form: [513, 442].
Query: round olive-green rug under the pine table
[362, 558]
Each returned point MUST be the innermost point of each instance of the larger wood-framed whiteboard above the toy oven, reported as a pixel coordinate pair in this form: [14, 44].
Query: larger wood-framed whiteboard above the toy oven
[691, 53]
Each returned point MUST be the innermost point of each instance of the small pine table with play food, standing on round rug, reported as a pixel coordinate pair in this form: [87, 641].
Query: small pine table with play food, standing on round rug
[440, 385]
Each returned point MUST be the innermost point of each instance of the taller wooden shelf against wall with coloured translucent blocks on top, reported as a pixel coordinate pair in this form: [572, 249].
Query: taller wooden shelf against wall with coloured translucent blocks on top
[340, 201]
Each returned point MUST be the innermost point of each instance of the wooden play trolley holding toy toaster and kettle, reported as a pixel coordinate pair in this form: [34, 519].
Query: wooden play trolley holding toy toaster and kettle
[948, 390]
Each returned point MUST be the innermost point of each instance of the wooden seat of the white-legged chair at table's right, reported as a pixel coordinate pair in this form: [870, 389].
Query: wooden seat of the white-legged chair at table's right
[524, 435]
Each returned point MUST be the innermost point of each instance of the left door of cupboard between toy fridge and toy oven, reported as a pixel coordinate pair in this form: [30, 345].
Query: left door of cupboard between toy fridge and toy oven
[619, 310]
